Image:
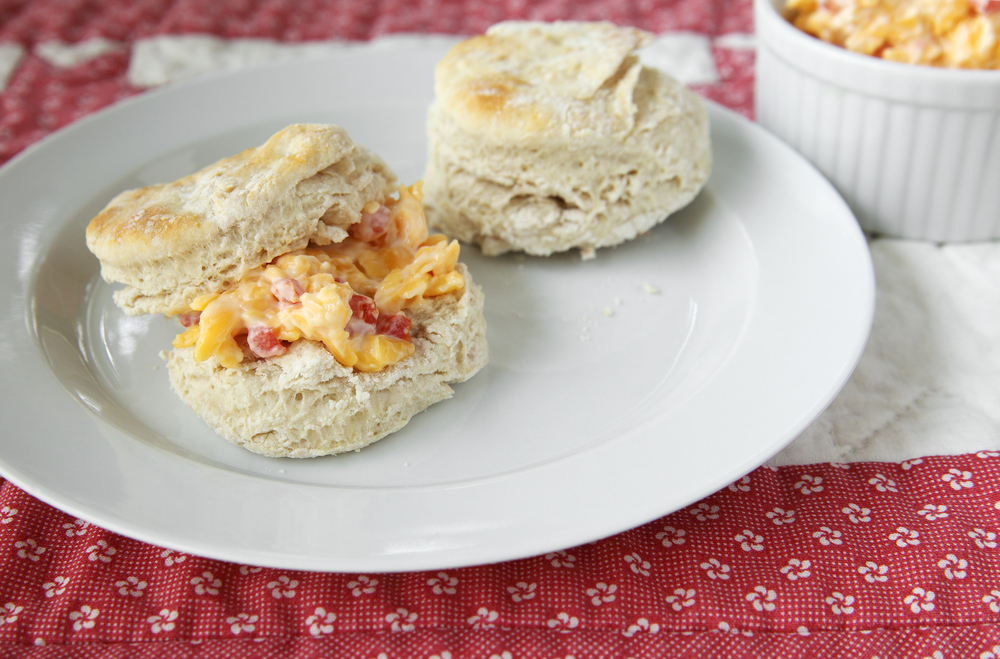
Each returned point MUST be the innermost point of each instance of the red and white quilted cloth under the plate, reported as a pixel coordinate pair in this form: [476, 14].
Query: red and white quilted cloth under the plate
[876, 535]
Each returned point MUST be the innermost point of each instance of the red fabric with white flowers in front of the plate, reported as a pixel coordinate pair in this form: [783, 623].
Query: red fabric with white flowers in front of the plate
[823, 560]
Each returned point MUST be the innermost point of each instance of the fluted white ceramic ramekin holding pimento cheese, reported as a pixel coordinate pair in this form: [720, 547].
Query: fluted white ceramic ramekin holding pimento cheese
[915, 150]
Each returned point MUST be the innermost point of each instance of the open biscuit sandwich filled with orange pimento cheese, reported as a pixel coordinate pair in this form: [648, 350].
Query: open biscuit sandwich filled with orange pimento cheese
[318, 315]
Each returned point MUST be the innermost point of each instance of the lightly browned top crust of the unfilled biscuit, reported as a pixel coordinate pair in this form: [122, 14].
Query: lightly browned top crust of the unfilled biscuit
[526, 78]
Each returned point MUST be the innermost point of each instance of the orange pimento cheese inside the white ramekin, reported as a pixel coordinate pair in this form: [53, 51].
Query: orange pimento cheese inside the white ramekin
[947, 33]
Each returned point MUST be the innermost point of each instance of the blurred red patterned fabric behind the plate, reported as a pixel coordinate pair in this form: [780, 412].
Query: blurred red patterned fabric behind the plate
[41, 98]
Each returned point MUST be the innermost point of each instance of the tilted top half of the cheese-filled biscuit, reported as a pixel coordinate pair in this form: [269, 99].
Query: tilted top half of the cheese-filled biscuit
[169, 243]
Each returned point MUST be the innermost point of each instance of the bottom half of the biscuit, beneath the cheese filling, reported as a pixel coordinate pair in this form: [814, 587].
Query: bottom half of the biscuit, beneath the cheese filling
[305, 404]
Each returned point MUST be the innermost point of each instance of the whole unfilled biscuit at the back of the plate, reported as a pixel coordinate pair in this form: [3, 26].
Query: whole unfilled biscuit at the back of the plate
[546, 137]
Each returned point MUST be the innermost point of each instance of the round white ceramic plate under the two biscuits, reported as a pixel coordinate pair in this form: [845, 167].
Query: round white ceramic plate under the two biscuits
[619, 389]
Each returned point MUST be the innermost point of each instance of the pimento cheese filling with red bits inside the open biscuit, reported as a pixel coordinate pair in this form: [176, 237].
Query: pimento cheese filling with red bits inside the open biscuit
[351, 296]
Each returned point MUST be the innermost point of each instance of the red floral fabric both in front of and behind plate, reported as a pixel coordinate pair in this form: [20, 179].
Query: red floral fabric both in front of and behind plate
[859, 560]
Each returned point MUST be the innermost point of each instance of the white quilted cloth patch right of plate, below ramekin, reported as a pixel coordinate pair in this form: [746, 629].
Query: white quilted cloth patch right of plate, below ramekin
[928, 382]
